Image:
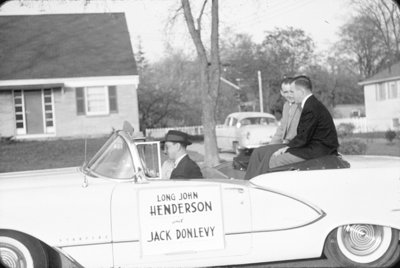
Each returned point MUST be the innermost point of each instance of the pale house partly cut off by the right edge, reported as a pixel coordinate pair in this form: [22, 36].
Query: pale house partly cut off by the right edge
[382, 99]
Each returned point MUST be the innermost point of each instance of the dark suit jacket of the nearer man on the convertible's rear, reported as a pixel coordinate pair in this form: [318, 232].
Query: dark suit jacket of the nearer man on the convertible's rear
[316, 132]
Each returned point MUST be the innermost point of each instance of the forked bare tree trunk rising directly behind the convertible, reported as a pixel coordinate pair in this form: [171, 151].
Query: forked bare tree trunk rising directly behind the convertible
[209, 73]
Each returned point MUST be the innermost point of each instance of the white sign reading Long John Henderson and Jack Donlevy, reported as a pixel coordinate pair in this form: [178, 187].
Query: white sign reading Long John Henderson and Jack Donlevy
[180, 219]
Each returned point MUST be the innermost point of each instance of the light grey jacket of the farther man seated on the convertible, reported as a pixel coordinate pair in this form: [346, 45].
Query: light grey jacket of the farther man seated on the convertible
[287, 130]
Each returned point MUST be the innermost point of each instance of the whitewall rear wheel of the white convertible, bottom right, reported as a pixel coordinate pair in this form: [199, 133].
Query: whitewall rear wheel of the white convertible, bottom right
[363, 245]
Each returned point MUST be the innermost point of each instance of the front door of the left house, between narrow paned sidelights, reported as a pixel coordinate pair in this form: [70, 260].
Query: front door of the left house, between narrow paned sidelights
[34, 111]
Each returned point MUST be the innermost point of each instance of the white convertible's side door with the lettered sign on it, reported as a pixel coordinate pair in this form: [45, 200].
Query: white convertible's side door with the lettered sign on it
[181, 222]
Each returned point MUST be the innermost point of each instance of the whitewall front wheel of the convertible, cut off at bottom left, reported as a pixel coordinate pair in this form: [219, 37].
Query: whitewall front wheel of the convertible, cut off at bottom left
[21, 251]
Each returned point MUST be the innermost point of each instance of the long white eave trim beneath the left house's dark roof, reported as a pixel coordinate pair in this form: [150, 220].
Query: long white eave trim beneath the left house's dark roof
[73, 82]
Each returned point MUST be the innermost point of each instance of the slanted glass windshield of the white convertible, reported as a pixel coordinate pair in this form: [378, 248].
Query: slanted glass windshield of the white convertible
[114, 161]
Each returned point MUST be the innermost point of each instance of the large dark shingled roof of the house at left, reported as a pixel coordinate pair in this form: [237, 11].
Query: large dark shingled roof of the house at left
[65, 46]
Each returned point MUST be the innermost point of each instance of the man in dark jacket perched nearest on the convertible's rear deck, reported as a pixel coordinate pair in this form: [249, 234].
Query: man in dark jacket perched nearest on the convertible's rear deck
[316, 132]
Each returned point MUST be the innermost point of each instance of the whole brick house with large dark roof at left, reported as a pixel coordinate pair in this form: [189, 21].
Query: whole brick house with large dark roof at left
[66, 75]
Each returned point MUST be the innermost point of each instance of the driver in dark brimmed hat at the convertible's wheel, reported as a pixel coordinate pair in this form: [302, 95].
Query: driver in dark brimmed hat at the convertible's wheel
[175, 147]
